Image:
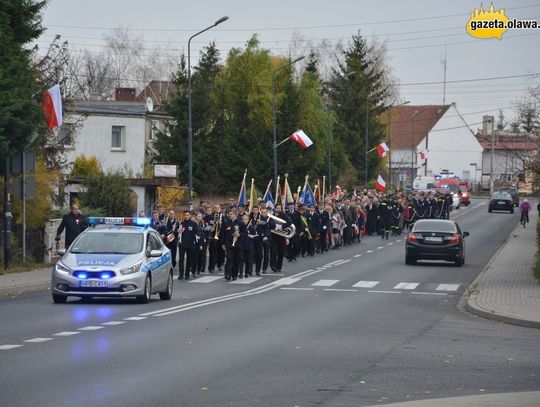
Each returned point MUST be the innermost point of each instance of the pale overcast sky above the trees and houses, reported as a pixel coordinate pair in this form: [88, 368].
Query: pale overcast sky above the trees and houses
[416, 33]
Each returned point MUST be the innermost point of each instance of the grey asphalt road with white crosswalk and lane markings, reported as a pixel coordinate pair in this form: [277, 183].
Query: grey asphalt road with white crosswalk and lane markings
[353, 327]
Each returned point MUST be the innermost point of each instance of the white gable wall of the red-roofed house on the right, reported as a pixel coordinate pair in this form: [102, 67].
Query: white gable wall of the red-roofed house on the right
[451, 147]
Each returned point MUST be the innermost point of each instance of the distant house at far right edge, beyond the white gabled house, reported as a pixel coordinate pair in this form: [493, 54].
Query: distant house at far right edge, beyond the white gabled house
[511, 151]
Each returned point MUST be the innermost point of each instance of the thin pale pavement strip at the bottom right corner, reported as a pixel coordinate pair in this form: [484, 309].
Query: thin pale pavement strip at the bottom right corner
[524, 399]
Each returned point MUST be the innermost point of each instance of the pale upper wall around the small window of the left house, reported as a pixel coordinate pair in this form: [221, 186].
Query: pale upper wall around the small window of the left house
[95, 136]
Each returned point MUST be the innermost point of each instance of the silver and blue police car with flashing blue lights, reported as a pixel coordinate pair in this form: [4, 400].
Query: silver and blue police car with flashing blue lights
[114, 257]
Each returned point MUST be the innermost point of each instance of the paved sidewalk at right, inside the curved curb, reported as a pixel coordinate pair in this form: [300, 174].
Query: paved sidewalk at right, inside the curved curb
[506, 289]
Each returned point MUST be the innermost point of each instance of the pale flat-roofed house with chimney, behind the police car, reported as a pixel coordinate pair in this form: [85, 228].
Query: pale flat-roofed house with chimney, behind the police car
[119, 133]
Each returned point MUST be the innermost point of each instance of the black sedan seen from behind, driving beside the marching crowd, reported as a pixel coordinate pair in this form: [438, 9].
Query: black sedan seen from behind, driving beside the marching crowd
[436, 239]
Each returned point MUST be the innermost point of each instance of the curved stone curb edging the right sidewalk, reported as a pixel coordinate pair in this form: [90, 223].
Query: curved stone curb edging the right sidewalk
[472, 306]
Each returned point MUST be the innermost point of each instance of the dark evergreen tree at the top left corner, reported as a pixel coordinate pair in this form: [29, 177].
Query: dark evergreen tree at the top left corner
[20, 115]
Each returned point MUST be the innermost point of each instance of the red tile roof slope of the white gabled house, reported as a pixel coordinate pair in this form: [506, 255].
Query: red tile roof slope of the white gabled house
[410, 124]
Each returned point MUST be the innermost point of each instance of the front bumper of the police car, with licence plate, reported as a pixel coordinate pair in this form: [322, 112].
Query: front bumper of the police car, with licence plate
[67, 284]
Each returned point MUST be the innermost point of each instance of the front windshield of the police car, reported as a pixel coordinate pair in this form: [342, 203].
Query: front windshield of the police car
[108, 243]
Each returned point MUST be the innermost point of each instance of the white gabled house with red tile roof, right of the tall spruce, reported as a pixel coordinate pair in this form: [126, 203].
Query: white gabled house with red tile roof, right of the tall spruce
[438, 129]
